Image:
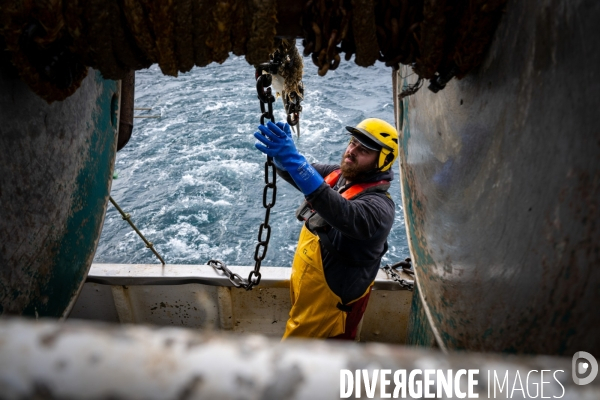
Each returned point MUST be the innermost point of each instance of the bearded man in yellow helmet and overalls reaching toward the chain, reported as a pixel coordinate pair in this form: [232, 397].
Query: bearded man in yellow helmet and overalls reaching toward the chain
[347, 216]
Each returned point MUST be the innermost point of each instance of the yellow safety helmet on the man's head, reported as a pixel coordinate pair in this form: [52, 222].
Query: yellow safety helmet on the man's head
[376, 134]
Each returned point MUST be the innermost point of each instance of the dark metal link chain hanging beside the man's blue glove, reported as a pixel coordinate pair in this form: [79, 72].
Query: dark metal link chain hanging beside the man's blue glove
[265, 96]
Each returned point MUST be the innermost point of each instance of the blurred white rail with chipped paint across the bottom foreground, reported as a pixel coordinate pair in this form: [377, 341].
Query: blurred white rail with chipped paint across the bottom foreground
[92, 361]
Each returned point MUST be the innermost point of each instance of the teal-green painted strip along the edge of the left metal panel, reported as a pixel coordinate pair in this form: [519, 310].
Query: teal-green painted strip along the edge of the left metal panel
[76, 249]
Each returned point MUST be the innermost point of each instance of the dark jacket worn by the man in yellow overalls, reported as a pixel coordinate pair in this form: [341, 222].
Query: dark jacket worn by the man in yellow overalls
[357, 228]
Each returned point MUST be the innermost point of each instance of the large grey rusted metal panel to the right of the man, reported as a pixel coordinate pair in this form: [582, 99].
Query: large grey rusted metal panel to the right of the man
[500, 175]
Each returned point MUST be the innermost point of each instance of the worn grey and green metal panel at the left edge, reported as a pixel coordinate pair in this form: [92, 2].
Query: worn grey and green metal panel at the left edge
[56, 166]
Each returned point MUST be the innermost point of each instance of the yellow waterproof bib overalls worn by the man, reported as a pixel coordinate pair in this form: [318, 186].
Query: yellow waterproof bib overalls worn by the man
[314, 310]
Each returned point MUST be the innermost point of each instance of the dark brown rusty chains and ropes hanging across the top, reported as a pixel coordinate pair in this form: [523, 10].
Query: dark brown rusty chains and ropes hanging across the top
[51, 43]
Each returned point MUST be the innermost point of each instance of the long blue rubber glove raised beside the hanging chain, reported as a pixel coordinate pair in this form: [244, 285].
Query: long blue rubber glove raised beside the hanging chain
[277, 143]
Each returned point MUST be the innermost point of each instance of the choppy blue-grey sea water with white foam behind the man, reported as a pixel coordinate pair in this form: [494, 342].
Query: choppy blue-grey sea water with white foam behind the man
[192, 180]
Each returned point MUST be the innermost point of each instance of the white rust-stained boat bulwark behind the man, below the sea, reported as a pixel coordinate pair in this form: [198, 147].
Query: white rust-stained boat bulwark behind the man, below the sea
[198, 296]
